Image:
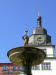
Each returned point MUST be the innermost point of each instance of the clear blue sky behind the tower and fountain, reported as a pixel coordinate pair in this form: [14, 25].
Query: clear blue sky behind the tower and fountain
[16, 16]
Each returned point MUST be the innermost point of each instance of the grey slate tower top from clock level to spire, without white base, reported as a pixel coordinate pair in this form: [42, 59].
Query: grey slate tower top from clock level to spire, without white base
[39, 36]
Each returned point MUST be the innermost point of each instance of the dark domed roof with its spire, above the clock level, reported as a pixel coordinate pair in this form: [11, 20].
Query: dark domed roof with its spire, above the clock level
[39, 29]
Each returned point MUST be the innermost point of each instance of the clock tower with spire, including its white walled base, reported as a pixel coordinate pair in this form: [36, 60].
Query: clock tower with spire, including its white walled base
[40, 39]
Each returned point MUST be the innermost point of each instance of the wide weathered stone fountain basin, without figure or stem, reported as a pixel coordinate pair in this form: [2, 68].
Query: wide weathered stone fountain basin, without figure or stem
[21, 54]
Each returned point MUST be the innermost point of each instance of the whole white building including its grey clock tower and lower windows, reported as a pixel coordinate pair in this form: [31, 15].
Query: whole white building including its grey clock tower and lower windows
[40, 39]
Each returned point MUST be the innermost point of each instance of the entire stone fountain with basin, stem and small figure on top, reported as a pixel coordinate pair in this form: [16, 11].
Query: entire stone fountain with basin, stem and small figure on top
[26, 56]
